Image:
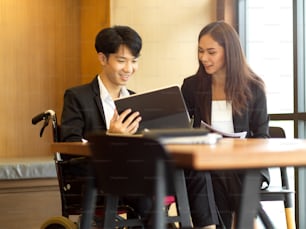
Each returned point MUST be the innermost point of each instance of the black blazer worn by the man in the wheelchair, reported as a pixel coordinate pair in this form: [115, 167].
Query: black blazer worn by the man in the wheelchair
[82, 112]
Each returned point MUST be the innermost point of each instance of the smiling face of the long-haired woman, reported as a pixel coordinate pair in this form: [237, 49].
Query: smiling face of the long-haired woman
[211, 55]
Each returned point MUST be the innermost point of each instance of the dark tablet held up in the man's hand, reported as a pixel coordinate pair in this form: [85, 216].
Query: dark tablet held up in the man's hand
[159, 109]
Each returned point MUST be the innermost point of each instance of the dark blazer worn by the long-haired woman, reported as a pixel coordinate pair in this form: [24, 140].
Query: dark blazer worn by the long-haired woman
[254, 119]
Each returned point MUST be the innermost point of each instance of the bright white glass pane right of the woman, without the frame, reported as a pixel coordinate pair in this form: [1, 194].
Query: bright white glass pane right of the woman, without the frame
[268, 43]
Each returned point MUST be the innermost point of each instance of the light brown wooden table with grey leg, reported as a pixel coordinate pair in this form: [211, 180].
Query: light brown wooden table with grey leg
[248, 154]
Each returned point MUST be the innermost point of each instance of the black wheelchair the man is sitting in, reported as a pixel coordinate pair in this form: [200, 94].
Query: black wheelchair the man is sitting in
[73, 173]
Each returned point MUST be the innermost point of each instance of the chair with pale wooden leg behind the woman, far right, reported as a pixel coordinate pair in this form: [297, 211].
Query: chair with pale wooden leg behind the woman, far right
[284, 194]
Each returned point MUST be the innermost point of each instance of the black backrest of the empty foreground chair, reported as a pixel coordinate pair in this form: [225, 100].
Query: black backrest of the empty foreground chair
[128, 165]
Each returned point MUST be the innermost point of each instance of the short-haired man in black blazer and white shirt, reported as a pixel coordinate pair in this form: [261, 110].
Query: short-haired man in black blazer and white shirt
[90, 107]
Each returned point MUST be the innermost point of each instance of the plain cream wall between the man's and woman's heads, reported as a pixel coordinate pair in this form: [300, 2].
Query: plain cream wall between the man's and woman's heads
[169, 30]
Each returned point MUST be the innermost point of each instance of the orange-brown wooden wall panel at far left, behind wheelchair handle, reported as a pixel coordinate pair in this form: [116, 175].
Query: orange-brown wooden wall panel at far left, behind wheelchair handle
[40, 57]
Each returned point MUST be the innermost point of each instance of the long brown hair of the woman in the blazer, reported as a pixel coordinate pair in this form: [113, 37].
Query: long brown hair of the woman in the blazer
[239, 76]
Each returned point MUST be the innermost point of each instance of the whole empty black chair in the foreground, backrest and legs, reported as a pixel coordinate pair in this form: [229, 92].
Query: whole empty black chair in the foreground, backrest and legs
[140, 167]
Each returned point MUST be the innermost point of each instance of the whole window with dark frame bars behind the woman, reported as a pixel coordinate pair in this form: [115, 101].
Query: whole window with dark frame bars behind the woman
[273, 35]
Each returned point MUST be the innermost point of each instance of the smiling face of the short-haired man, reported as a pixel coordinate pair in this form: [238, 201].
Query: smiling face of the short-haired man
[118, 67]
